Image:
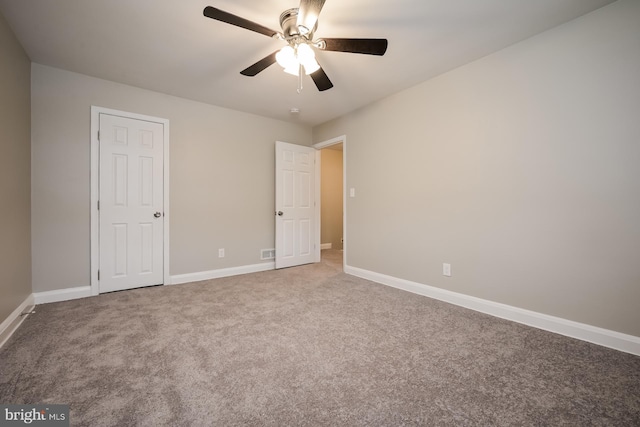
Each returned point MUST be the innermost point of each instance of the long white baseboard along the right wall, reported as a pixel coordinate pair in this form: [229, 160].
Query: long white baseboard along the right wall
[581, 331]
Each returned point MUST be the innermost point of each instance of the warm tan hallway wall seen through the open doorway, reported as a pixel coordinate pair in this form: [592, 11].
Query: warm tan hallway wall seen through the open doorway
[331, 197]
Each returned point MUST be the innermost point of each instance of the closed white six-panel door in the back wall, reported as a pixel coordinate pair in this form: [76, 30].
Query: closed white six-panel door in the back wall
[130, 203]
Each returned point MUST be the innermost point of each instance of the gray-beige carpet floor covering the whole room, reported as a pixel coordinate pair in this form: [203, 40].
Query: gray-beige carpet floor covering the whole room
[307, 346]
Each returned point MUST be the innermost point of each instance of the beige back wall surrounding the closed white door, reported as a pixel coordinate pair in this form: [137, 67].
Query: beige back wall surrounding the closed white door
[221, 177]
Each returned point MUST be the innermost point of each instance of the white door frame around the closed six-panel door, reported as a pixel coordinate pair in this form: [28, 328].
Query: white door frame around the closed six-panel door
[95, 190]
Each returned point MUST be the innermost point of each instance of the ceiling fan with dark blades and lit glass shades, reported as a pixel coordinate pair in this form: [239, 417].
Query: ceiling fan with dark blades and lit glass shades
[298, 27]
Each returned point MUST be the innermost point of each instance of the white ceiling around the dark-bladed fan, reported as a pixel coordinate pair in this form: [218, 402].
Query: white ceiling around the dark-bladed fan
[168, 46]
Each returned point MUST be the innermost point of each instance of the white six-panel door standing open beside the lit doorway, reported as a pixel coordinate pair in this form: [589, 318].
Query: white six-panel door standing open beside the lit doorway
[295, 205]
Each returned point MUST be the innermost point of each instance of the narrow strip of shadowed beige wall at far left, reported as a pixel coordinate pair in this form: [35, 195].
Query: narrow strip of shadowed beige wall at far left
[15, 167]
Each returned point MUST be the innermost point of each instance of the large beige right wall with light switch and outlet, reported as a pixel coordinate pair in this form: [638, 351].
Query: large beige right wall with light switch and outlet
[521, 169]
